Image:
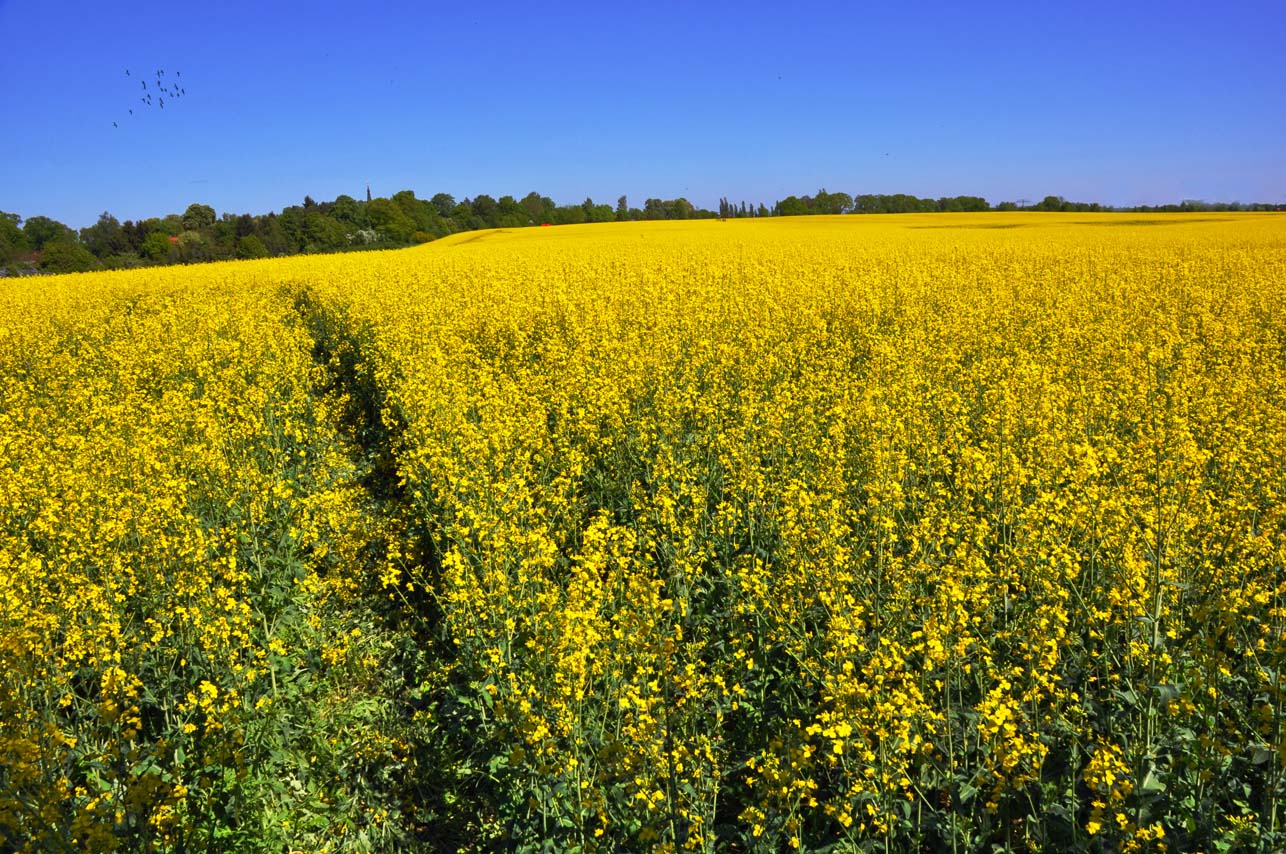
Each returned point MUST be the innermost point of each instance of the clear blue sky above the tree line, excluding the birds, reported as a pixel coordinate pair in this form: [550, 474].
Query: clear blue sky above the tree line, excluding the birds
[1116, 102]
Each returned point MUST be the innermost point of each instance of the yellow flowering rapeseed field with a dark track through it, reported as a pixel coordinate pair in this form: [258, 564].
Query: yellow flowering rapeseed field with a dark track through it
[887, 533]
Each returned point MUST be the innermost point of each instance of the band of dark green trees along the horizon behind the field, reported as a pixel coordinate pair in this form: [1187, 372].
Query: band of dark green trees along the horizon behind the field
[43, 245]
